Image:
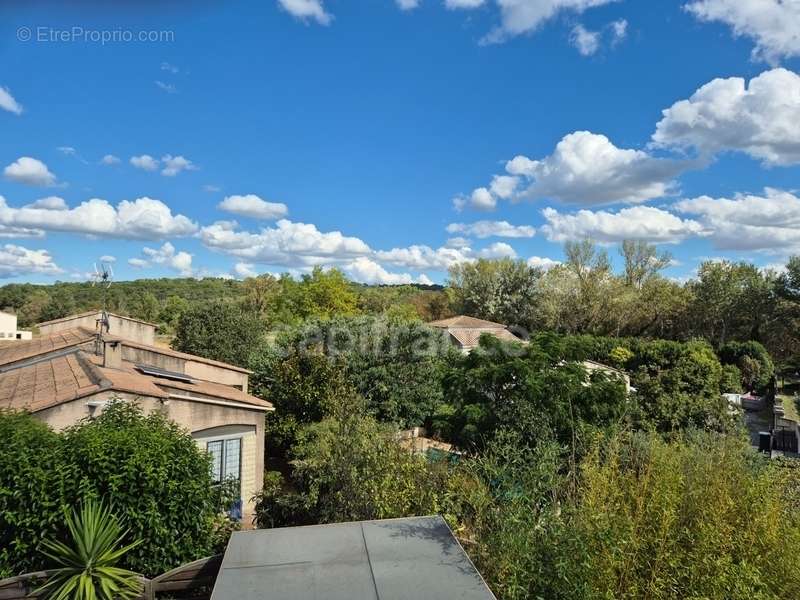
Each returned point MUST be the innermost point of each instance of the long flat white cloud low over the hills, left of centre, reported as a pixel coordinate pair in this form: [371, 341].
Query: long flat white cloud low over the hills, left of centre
[286, 244]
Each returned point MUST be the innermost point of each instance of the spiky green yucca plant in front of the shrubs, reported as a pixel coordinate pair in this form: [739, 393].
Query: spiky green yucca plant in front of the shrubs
[87, 561]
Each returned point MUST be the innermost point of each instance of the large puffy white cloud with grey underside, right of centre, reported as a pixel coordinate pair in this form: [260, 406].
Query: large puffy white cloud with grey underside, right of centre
[588, 169]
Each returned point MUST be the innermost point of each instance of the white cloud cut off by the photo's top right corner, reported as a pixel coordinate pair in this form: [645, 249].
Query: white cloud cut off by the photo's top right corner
[772, 24]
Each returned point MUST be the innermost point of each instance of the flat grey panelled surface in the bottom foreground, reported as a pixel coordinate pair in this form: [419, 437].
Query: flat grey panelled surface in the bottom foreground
[395, 559]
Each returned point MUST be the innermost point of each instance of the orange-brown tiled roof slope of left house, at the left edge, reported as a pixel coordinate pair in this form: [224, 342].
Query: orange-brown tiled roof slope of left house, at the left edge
[48, 383]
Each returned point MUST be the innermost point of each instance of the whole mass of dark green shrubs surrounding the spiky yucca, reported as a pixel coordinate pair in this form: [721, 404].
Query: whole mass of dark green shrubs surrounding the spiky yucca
[151, 472]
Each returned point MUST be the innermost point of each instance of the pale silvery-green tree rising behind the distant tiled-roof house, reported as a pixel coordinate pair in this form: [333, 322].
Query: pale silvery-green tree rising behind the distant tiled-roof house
[502, 290]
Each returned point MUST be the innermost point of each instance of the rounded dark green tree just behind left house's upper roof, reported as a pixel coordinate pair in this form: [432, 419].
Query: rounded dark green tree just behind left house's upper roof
[219, 331]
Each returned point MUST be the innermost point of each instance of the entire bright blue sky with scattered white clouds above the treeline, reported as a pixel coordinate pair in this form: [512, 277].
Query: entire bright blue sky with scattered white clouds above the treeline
[393, 138]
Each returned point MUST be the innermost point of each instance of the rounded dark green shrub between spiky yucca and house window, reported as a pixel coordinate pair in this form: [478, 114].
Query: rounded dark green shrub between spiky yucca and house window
[156, 478]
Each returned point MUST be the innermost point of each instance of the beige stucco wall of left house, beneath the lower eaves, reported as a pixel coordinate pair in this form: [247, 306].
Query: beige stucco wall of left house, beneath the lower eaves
[202, 420]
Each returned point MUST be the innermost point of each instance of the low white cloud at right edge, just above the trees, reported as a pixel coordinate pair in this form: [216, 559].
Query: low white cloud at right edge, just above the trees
[748, 222]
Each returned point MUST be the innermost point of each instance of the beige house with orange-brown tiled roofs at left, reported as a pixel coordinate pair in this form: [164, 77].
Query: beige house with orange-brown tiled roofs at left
[70, 374]
